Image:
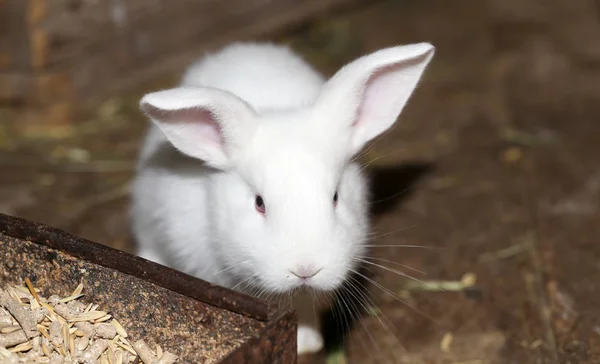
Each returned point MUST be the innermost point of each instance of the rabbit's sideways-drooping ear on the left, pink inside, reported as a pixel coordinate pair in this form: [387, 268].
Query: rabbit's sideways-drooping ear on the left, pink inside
[203, 123]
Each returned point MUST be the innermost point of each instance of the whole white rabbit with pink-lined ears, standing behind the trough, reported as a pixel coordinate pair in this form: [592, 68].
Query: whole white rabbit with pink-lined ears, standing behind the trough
[246, 178]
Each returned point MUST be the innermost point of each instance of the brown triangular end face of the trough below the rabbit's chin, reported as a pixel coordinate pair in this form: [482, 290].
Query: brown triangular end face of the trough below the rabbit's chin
[276, 343]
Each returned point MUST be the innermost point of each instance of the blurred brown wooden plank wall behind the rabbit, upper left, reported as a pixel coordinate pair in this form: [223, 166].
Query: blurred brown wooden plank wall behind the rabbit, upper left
[100, 48]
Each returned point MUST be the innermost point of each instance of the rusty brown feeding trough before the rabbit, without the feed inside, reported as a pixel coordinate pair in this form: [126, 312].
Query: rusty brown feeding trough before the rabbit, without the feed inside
[191, 318]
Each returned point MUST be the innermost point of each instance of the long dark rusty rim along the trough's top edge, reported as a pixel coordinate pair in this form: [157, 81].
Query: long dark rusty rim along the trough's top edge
[123, 262]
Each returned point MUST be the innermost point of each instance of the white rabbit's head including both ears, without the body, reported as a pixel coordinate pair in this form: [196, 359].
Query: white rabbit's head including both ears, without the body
[289, 205]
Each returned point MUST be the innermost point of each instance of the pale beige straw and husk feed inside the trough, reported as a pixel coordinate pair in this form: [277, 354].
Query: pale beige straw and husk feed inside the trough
[58, 330]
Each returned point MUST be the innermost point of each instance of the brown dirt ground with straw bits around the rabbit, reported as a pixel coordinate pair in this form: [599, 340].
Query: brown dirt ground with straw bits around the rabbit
[494, 167]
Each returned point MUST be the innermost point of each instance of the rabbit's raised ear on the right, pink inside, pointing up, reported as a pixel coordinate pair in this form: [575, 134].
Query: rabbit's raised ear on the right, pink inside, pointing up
[367, 95]
